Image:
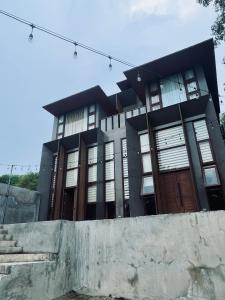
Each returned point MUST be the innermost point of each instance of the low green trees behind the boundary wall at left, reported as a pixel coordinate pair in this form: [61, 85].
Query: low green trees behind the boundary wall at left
[28, 181]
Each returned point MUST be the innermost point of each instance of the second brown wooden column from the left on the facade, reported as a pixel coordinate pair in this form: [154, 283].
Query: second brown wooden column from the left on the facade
[80, 197]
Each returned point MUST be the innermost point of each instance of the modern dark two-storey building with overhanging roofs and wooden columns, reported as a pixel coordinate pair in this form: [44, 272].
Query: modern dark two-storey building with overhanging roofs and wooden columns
[155, 147]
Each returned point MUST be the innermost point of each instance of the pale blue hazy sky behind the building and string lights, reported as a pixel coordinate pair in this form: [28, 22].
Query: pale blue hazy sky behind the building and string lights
[35, 74]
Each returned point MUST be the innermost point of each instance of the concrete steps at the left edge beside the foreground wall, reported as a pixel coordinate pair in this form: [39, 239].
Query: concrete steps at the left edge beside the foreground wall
[11, 254]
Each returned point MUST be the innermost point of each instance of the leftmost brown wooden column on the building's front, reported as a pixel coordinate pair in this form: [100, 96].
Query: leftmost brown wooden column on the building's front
[59, 183]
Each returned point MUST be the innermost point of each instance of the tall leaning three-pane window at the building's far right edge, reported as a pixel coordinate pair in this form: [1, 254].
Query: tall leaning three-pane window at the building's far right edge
[209, 170]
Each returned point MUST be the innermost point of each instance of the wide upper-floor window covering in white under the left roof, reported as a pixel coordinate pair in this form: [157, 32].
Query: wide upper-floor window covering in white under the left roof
[76, 121]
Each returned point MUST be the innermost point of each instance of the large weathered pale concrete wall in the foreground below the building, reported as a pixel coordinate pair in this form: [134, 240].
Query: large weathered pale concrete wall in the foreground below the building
[164, 257]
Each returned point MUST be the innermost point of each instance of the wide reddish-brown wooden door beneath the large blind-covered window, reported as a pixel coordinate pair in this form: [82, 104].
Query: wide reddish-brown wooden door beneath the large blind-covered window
[177, 193]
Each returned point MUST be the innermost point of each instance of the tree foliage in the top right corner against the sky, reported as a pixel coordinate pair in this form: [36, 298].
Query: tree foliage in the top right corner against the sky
[218, 28]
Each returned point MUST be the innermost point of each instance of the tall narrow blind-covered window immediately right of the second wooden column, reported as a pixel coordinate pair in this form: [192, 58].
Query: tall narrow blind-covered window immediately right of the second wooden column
[92, 174]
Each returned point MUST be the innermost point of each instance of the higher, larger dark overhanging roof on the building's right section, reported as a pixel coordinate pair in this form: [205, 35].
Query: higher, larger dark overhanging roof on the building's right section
[200, 54]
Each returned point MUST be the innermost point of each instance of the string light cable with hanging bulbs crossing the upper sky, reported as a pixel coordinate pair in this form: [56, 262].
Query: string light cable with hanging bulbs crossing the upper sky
[86, 47]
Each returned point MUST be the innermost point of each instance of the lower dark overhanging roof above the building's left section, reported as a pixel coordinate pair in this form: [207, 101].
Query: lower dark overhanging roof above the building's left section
[90, 96]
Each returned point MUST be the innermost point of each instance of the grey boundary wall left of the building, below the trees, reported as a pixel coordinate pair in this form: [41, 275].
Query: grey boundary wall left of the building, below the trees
[19, 205]
